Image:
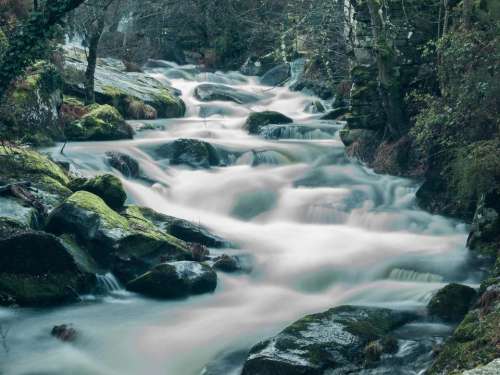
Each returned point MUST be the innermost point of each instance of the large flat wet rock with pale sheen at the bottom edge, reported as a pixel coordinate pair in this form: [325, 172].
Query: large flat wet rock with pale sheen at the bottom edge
[334, 340]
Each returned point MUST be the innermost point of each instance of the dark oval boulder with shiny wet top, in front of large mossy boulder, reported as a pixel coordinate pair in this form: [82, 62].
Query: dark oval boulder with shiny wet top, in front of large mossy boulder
[174, 280]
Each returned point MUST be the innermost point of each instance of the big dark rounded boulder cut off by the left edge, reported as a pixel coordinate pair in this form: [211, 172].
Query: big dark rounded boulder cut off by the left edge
[37, 270]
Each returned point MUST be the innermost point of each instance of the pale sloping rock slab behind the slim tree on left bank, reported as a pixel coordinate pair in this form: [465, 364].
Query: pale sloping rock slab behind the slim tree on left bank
[122, 89]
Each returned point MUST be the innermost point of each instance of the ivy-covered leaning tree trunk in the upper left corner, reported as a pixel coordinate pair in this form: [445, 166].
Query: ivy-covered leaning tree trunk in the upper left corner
[29, 40]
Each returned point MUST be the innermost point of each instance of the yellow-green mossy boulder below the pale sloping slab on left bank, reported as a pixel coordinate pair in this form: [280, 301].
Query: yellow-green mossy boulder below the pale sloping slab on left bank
[101, 123]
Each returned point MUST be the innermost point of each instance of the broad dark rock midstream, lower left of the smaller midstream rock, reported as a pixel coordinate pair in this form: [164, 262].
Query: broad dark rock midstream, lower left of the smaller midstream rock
[191, 152]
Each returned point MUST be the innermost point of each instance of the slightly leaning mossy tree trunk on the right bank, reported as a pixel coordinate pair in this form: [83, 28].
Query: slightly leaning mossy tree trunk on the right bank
[390, 85]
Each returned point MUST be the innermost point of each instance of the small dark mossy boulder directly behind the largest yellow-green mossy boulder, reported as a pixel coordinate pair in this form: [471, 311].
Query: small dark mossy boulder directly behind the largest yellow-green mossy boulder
[107, 187]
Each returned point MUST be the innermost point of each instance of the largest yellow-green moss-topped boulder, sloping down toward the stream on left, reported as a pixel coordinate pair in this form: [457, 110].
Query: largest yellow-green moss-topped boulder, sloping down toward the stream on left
[110, 235]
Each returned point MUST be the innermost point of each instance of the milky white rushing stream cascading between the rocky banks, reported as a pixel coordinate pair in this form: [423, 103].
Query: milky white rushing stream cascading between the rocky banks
[317, 229]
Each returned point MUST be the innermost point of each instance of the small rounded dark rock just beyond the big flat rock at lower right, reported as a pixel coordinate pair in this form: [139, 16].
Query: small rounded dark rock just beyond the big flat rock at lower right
[452, 302]
